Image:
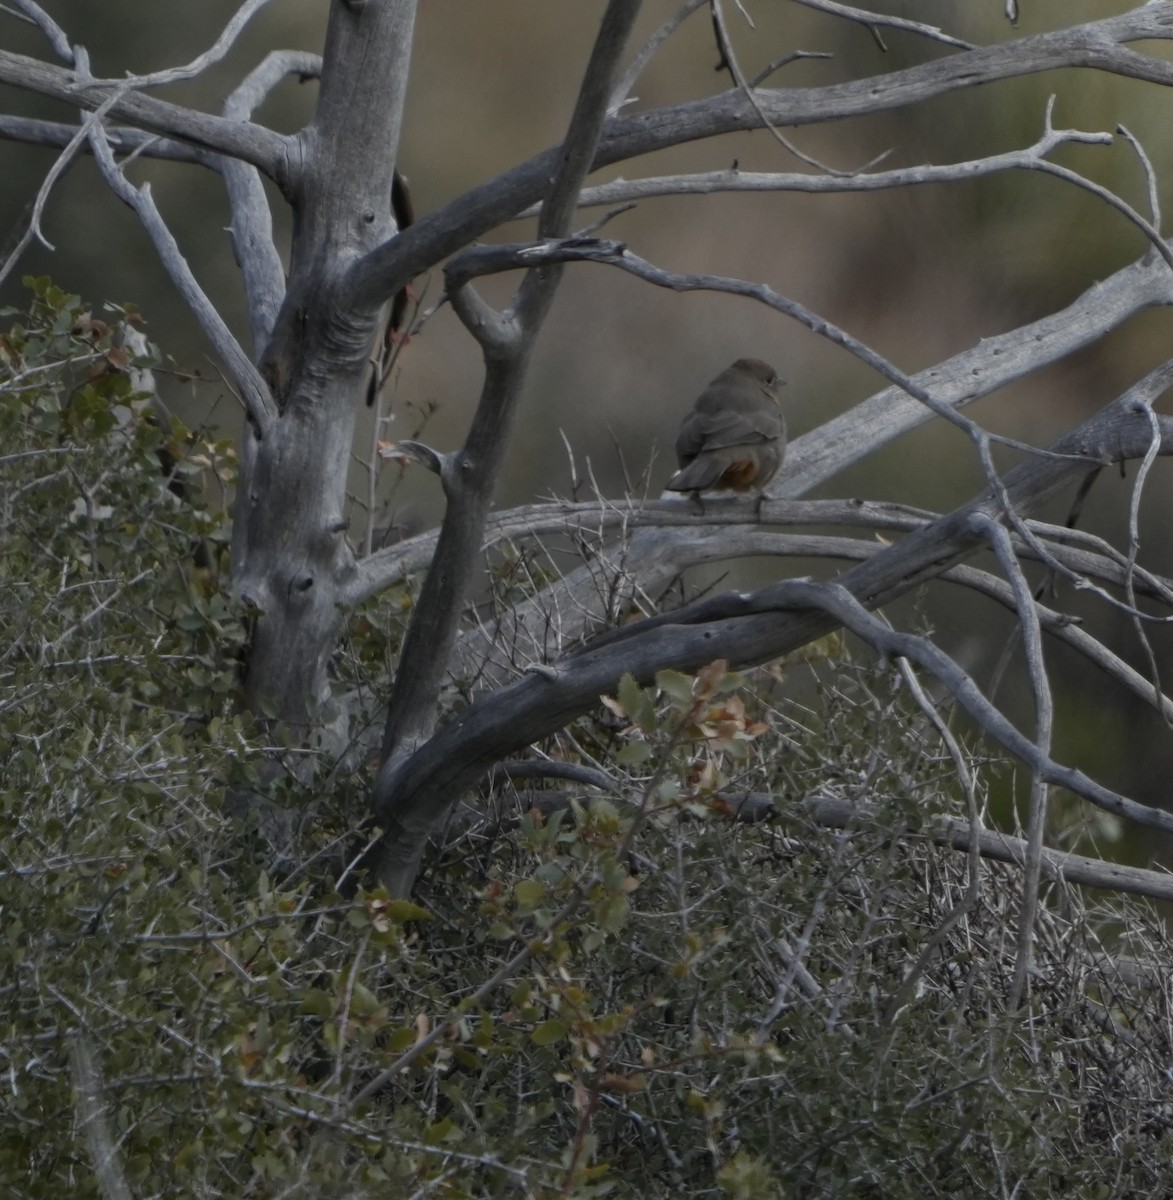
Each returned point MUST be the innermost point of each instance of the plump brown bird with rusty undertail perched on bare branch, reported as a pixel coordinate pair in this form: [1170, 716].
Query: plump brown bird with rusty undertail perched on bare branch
[735, 437]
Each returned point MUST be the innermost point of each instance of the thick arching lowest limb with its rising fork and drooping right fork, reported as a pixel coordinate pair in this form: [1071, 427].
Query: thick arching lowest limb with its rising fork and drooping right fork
[413, 794]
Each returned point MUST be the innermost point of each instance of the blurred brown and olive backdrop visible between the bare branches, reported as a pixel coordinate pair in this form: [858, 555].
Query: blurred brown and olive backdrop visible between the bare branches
[919, 274]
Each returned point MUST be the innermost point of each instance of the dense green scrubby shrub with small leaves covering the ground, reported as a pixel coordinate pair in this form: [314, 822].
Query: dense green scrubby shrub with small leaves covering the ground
[622, 995]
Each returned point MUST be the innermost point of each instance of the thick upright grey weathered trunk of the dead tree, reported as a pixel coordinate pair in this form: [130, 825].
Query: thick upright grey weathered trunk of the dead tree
[291, 555]
